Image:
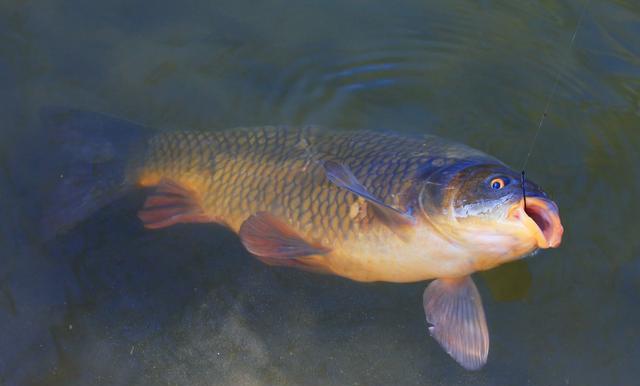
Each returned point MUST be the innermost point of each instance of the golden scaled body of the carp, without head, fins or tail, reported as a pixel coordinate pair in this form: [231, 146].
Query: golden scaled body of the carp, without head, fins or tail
[234, 174]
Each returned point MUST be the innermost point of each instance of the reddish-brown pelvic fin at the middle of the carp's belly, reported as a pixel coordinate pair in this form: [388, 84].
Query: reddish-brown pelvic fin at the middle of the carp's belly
[265, 235]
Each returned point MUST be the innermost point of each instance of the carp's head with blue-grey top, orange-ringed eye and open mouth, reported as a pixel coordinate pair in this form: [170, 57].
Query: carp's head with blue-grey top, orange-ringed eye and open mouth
[481, 207]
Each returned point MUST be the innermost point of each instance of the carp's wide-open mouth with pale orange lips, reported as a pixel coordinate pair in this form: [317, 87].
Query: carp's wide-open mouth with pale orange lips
[541, 217]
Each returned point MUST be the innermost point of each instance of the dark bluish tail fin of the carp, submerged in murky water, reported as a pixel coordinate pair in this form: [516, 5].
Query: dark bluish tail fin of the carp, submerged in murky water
[89, 153]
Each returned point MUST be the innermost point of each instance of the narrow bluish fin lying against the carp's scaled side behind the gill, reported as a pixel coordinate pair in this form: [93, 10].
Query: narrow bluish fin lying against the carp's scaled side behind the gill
[343, 177]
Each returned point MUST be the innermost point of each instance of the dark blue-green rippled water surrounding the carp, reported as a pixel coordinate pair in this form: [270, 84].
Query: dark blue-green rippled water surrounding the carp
[110, 303]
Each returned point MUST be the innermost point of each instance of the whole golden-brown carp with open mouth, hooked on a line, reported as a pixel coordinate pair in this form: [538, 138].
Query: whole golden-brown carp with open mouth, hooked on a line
[368, 206]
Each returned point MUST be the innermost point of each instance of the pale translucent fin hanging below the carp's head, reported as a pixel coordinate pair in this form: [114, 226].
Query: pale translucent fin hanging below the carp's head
[454, 309]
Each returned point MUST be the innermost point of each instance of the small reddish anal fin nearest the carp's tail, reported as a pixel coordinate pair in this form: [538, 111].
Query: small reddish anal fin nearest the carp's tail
[169, 204]
